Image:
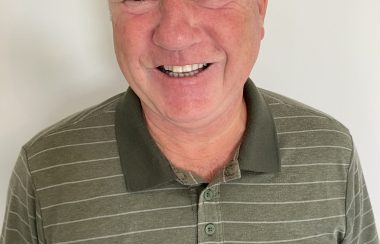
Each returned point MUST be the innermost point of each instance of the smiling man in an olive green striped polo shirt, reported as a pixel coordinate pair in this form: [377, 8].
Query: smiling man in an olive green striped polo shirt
[193, 152]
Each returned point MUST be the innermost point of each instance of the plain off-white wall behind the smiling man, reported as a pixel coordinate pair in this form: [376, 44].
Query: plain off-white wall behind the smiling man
[56, 57]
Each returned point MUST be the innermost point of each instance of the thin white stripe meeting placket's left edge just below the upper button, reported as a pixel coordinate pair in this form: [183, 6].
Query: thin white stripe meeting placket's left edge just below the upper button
[119, 214]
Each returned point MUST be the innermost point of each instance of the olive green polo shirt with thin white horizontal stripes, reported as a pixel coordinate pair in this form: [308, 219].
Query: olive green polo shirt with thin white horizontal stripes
[98, 177]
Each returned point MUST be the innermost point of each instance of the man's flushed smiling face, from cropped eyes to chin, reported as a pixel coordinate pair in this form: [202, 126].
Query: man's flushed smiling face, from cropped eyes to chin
[187, 60]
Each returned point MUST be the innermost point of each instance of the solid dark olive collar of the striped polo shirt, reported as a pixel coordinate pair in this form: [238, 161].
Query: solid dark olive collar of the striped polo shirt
[145, 167]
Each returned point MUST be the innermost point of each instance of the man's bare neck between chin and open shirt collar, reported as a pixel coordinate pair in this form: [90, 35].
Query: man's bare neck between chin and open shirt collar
[203, 150]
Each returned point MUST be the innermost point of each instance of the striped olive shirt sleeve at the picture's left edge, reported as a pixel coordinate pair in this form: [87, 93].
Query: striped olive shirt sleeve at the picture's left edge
[22, 221]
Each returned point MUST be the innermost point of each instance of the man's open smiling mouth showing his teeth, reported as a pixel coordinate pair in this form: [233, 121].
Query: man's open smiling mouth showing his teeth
[183, 71]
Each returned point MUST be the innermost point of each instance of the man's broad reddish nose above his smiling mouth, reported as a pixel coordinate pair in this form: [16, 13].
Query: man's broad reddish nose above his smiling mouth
[177, 28]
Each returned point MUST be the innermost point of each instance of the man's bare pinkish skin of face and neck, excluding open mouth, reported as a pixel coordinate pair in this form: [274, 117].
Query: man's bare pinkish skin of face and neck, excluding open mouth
[190, 118]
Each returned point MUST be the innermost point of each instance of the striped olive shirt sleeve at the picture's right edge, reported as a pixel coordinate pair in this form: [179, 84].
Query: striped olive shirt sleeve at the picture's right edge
[360, 222]
